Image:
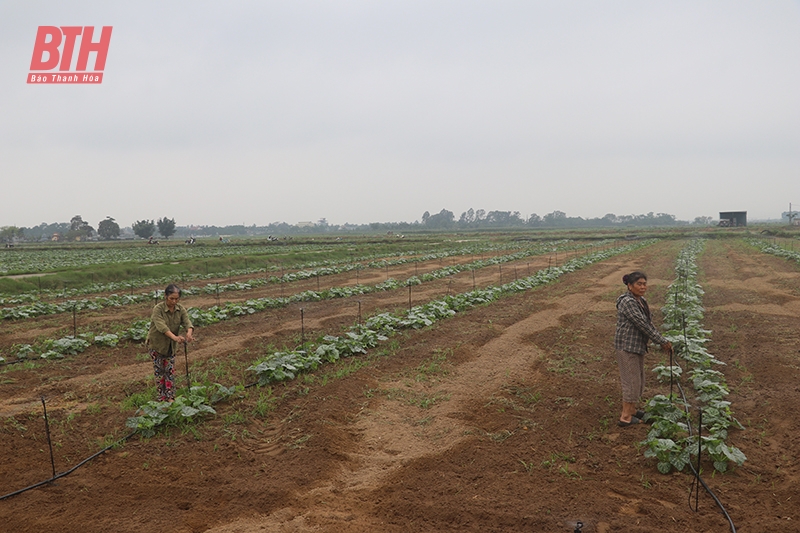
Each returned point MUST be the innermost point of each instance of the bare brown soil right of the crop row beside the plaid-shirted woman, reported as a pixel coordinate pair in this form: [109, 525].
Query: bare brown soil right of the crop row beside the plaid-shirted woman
[753, 307]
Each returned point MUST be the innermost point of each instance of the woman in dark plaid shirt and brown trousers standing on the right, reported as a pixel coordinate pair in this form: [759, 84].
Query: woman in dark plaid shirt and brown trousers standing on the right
[634, 329]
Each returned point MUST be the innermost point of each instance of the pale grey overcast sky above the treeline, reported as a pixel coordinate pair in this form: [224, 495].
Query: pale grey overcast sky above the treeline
[376, 111]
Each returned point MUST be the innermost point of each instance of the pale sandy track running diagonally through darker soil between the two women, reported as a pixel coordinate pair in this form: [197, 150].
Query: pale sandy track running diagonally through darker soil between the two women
[392, 435]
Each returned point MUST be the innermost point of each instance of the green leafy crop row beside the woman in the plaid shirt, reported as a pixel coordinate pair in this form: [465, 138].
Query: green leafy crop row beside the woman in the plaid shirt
[670, 440]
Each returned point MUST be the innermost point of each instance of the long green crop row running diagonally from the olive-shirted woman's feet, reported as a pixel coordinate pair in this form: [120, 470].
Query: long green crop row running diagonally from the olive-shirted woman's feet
[286, 365]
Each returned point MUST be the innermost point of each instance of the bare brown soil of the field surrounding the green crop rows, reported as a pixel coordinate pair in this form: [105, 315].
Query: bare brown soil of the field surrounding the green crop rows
[500, 418]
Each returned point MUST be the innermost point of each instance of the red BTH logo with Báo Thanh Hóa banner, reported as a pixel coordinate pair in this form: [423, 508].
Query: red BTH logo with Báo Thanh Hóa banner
[48, 53]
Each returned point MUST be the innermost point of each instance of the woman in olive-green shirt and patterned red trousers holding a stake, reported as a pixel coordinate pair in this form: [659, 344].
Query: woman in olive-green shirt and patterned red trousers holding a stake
[166, 322]
